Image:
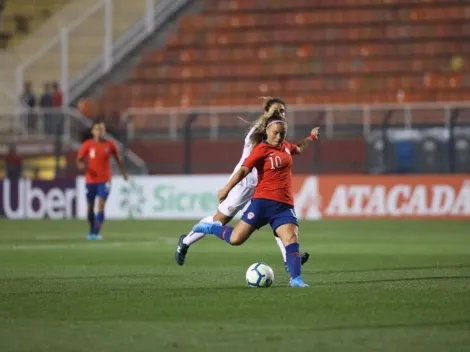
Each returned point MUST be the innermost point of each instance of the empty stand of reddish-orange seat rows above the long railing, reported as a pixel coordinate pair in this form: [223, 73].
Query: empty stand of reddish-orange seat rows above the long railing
[322, 51]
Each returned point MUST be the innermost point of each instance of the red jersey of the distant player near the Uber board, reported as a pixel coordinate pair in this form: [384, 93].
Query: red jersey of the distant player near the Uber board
[98, 156]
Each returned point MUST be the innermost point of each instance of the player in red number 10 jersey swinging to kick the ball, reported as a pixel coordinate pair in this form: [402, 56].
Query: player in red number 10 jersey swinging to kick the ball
[273, 201]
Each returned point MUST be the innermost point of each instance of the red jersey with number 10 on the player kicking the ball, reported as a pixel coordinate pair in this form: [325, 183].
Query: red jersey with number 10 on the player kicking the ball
[274, 165]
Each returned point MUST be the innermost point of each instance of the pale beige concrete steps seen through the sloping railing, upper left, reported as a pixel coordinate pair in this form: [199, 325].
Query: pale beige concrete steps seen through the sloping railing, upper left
[85, 43]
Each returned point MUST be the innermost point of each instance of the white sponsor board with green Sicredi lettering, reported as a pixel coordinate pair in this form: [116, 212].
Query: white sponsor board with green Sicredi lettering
[158, 197]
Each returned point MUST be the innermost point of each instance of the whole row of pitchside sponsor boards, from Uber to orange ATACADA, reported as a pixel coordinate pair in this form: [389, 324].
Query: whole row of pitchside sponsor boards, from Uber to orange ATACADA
[193, 197]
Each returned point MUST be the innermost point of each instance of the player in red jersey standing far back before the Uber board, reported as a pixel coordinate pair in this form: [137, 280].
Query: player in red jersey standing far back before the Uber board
[98, 152]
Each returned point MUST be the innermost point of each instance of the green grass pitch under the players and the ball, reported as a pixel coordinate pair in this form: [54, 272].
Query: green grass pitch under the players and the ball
[376, 286]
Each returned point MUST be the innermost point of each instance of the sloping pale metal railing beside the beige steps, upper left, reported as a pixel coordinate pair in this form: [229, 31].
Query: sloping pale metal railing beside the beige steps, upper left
[77, 72]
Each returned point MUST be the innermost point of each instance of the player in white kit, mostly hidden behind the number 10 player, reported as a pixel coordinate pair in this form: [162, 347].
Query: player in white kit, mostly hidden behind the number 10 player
[241, 194]
